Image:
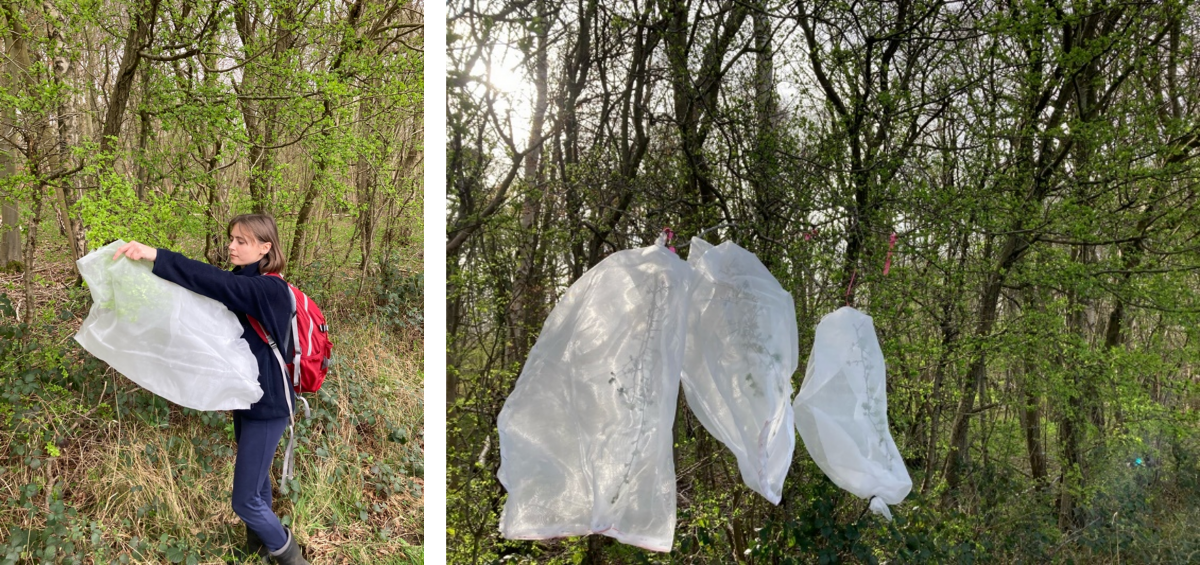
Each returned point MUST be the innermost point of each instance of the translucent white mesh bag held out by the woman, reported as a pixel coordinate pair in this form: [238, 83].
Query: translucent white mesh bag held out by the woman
[171, 341]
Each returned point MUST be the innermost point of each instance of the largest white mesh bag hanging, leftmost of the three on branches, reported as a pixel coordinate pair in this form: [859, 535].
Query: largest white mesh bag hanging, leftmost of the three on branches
[586, 440]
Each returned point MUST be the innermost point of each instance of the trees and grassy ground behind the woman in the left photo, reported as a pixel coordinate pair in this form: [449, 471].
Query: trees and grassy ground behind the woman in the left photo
[159, 121]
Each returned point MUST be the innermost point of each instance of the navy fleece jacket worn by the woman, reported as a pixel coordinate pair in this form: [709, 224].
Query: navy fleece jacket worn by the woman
[244, 291]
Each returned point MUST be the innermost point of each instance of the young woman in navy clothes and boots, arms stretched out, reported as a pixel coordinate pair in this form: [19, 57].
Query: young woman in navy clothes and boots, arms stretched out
[255, 251]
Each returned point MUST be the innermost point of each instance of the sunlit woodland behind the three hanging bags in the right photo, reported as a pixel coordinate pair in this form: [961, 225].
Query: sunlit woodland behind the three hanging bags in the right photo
[1037, 161]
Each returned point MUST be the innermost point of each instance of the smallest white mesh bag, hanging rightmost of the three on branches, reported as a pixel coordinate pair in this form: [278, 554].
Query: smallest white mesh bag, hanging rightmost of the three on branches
[842, 412]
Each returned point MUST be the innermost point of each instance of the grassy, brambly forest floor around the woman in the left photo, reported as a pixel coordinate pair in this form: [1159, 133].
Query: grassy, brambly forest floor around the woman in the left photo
[95, 470]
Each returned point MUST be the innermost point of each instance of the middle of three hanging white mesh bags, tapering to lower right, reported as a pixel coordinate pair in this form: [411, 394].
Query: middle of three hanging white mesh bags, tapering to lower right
[742, 352]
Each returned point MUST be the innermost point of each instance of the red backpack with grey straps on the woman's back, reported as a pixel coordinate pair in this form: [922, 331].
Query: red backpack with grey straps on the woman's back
[310, 335]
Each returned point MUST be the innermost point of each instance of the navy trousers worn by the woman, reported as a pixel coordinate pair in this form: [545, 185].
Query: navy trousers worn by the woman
[257, 441]
